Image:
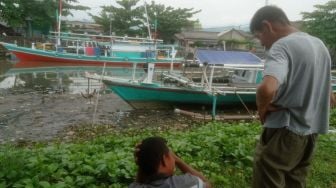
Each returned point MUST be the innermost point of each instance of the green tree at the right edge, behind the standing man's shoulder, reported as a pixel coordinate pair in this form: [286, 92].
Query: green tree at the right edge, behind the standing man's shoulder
[322, 23]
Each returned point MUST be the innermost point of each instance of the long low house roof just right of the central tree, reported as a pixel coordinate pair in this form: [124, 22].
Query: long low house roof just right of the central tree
[197, 35]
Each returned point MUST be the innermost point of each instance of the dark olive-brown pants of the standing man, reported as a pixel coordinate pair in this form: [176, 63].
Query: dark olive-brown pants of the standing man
[282, 158]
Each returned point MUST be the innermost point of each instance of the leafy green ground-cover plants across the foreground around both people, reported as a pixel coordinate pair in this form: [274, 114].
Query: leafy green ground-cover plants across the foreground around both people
[222, 151]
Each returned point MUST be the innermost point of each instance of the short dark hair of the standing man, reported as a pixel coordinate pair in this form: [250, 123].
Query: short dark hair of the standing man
[269, 13]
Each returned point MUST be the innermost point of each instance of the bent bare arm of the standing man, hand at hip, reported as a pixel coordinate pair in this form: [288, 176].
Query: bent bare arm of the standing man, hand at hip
[265, 93]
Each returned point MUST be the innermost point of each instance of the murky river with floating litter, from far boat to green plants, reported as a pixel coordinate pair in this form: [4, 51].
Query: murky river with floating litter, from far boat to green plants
[45, 103]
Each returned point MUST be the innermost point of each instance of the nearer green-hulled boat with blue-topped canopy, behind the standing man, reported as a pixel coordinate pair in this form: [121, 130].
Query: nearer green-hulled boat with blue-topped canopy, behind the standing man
[241, 73]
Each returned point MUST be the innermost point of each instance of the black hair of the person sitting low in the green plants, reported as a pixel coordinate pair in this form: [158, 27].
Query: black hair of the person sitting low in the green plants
[148, 158]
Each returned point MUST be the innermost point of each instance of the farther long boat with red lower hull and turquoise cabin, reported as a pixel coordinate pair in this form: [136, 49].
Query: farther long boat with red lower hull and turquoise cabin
[97, 50]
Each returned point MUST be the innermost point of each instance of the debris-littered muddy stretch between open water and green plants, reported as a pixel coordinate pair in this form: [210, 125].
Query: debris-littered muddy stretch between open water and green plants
[41, 117]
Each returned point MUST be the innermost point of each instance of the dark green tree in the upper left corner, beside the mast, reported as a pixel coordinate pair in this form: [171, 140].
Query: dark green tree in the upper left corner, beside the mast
[41, 13]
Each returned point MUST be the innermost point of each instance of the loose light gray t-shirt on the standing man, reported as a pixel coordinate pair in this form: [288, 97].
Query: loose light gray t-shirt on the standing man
[301, 64]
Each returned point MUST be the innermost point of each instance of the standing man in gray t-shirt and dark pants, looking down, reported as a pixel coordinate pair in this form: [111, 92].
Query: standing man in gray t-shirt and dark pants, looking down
[293, 100]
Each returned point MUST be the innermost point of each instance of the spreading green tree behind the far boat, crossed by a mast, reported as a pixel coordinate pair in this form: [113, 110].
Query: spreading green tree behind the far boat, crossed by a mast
[130, 19]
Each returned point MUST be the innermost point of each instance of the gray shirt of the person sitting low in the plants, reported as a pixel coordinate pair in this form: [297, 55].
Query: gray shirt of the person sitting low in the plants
[177, 181]
